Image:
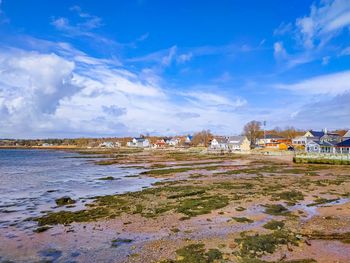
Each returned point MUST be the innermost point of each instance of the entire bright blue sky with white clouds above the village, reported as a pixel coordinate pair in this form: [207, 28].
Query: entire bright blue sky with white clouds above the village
[88, 68]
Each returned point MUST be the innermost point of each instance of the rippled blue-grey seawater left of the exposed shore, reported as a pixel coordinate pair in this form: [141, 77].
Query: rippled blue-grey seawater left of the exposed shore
[31, 180]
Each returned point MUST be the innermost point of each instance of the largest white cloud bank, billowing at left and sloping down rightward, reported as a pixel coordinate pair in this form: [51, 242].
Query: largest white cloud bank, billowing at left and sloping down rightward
[69, 94]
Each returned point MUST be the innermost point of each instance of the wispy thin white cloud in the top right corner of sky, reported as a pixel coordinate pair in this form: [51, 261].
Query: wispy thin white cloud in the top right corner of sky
[314, 36]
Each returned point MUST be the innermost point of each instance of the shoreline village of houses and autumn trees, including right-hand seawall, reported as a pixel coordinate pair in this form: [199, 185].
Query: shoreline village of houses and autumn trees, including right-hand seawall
[312, 146]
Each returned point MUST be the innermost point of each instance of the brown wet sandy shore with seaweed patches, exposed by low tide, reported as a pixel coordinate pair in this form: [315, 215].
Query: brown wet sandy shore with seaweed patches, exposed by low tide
[250, 184]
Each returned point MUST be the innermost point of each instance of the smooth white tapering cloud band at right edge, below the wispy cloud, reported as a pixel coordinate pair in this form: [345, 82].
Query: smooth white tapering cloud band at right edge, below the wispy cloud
[332, 84]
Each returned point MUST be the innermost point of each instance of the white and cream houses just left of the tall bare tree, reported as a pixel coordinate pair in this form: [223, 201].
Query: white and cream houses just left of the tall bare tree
[230, 144]
